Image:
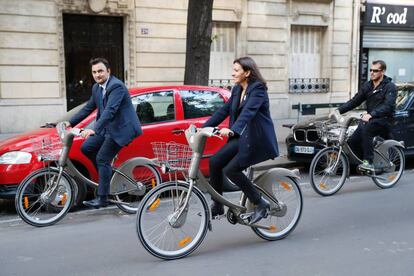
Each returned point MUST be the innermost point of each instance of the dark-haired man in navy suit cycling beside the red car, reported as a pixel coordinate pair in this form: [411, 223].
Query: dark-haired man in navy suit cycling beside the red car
[117, 124]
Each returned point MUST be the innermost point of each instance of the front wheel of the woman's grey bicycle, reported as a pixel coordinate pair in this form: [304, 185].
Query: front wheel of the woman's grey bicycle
[159, 233]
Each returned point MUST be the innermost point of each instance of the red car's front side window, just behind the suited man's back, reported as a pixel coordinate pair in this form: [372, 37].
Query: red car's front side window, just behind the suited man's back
[155, 107]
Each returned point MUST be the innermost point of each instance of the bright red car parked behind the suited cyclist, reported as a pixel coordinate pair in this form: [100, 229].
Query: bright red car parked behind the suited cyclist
[164, 112]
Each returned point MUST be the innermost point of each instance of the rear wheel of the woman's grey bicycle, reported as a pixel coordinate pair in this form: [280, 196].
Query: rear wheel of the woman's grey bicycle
[281, 221]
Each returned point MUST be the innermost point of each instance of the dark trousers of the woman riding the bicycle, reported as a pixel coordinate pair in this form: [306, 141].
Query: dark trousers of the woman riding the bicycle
[226, 162]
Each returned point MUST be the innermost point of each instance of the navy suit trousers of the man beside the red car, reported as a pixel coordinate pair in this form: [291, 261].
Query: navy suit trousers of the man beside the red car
[101, 150]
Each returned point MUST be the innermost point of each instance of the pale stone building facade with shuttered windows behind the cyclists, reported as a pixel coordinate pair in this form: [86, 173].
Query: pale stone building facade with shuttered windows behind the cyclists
[307, 50]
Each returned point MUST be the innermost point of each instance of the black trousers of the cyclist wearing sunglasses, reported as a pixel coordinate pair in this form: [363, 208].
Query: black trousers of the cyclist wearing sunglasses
[361, 141]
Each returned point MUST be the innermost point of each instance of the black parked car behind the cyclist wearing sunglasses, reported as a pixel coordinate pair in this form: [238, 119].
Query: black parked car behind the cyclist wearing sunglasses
[305, 139]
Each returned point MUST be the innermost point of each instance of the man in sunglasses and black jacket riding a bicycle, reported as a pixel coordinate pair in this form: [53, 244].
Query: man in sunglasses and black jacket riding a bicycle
[379, 94]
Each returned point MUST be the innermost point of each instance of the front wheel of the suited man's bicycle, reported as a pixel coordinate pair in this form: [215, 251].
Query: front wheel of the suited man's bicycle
[40, 201]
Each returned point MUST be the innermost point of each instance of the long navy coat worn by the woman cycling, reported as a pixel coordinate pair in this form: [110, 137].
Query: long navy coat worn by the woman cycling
[257, 141]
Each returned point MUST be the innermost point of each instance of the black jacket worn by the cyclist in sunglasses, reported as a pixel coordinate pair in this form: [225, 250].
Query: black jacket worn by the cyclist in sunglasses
[380, 102]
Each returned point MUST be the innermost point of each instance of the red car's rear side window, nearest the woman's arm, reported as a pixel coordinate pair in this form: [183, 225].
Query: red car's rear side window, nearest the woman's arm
[199, 103]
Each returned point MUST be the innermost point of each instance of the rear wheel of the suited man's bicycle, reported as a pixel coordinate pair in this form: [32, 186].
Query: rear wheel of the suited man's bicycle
[146, 175]
